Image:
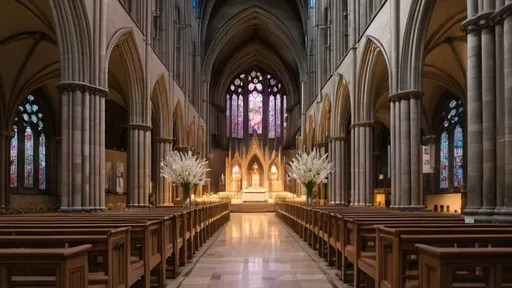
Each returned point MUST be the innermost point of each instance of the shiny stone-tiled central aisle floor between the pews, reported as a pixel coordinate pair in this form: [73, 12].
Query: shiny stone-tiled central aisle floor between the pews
[256, 250]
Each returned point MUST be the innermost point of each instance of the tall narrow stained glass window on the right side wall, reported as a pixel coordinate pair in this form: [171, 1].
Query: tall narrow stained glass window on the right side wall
[452, 146]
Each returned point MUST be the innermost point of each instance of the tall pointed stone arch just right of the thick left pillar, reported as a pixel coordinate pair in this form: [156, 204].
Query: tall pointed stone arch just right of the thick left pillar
[124, 40]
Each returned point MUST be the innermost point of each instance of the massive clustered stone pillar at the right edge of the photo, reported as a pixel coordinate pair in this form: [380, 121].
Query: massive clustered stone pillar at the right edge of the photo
[489, 106]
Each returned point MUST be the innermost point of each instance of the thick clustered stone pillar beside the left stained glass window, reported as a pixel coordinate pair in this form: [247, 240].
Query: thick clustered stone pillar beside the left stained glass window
[83, 147]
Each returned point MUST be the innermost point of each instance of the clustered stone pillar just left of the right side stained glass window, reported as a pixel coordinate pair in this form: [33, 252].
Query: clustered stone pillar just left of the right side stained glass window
[405, 150]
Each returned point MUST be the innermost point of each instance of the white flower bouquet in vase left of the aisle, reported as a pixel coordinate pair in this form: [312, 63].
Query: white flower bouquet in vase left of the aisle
[185, 170]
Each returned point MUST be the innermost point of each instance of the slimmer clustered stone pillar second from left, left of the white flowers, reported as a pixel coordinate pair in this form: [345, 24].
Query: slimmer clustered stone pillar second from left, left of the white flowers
[139, 161]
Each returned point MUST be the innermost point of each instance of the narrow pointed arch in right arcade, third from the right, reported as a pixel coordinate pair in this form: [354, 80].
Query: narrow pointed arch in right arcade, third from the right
[341, 108]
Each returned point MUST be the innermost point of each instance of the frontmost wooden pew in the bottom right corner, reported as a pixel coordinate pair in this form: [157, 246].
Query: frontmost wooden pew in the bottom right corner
[438, 266]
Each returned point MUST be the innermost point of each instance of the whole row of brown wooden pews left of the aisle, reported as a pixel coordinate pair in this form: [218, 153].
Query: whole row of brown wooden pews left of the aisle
[139, 247]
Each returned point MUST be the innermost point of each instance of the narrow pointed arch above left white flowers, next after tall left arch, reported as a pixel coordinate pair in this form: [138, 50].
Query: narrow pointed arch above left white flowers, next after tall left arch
[160, 107]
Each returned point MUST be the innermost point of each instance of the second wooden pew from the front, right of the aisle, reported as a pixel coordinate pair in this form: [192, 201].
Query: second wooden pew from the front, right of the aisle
[396, 254]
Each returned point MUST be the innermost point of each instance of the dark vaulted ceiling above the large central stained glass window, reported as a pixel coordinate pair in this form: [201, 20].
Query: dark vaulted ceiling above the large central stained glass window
[258, 29]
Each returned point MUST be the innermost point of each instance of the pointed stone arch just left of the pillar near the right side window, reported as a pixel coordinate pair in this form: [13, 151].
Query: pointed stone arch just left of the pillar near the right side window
[369, 80]
